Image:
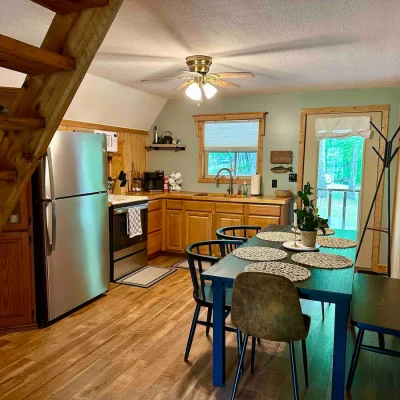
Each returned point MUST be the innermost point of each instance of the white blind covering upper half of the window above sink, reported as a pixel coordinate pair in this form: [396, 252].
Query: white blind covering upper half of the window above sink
[234, 136]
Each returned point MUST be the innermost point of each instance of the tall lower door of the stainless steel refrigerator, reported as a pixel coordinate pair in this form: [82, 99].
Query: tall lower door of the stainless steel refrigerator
[78, 263]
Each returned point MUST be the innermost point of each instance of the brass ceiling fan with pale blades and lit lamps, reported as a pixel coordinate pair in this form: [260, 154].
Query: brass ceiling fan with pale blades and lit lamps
[199, 80]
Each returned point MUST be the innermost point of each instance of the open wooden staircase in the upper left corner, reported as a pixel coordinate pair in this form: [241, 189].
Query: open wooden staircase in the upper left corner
[30, 116]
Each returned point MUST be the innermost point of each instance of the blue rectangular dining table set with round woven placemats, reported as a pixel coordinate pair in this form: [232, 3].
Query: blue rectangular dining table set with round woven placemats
[324, 285]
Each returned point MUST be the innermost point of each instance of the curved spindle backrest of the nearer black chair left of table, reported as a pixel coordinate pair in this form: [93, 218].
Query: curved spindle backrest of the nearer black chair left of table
[201, 253]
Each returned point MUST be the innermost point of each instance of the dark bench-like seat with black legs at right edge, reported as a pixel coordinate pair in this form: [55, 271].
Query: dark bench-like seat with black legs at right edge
[374, 308]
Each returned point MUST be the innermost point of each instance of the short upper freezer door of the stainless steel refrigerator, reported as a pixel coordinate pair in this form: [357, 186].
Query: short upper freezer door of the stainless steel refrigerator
[77, 164]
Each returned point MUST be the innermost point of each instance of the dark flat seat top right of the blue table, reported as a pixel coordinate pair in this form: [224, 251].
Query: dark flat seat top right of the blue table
[376, 301]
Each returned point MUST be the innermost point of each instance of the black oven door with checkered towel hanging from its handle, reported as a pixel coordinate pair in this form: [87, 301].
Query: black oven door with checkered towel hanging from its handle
[122, 244]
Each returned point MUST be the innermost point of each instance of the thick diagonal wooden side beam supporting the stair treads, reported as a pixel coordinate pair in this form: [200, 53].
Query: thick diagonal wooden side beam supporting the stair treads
[48, 96]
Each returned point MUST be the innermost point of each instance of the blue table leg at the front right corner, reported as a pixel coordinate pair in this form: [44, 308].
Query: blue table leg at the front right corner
[339, 349]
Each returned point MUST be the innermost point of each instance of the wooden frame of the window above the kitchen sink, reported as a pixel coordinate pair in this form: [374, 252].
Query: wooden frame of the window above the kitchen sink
[200, 120]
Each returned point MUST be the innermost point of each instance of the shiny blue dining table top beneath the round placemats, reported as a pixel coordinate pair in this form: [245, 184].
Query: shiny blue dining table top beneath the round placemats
[335, 281]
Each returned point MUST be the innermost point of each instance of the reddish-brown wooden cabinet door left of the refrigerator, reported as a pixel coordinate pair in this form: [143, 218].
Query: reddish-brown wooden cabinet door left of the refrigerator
[16, 284]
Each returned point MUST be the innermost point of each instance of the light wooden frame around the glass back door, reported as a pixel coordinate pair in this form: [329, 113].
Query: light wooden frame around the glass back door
[384, 109]
